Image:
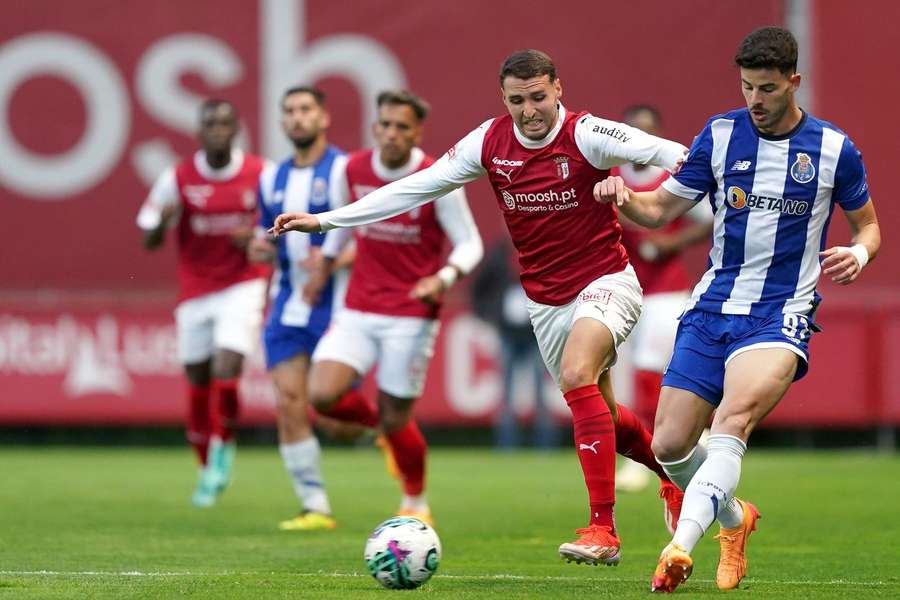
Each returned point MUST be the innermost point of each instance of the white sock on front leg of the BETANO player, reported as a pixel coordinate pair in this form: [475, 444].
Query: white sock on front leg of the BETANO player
[710, 492]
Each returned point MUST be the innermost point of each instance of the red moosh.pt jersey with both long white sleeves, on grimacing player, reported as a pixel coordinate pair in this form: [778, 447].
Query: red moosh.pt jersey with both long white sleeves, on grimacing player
[544, 188]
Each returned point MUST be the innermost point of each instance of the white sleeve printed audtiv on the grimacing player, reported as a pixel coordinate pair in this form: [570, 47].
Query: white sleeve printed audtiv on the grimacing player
[606, 144]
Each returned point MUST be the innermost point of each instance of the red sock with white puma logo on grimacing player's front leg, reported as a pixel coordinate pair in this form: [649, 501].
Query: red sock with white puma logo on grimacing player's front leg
[595, 440]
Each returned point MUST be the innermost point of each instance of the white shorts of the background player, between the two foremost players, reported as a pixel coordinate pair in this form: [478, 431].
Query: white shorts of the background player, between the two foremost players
[653, 337]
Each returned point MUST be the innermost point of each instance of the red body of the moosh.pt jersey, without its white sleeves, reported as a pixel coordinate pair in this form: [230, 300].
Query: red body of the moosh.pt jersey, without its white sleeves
[564, 238]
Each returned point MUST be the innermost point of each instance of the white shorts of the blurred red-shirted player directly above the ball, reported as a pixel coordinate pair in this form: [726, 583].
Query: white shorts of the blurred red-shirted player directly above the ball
[402, 346]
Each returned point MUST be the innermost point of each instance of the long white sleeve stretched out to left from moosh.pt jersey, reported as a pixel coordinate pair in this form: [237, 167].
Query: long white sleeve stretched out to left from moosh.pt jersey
[460, 165]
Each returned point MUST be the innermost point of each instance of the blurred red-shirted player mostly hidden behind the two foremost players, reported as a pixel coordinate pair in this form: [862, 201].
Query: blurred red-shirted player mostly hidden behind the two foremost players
[656, 256]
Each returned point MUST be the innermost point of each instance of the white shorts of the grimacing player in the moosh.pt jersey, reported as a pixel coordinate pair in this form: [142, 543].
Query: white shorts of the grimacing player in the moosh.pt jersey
[614, 300]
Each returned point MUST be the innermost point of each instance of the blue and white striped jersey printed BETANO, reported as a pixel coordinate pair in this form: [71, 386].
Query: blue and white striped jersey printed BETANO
[773, 198]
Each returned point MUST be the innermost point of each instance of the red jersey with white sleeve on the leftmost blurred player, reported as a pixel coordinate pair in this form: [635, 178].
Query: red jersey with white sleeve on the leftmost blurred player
[212, 204]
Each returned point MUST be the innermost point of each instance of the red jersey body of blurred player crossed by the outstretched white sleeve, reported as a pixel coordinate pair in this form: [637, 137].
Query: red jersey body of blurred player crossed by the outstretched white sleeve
[392, 255]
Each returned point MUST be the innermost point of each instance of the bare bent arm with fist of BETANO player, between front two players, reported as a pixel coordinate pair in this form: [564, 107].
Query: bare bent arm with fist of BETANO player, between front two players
[649, 209]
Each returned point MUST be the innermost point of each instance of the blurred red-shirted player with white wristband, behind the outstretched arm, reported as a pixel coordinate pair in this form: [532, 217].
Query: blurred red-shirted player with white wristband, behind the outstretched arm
[394, 295]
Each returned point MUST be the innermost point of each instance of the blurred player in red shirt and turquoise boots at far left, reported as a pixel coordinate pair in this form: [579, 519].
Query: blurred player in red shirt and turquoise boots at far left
[212, 196]
